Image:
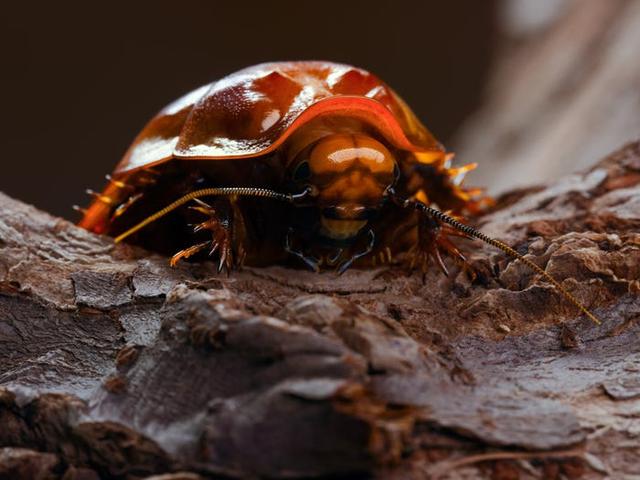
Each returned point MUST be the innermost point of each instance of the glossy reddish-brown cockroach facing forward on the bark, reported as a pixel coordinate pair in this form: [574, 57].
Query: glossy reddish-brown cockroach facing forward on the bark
[315, 163]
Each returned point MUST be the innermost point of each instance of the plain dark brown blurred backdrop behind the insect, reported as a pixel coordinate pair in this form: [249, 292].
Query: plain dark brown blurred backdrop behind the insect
[79, 80]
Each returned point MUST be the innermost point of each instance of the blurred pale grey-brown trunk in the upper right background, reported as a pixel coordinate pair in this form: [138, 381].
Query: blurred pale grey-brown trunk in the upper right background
[560, 96]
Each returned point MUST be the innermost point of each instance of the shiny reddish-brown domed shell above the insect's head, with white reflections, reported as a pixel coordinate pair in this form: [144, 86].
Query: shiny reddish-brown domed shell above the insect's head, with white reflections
[253, 111]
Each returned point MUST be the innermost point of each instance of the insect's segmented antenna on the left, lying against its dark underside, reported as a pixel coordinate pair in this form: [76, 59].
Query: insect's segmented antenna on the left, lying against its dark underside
[208, 192]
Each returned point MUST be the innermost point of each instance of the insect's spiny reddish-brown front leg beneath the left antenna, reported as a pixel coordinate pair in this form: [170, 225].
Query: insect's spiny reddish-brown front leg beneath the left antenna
[225, 223]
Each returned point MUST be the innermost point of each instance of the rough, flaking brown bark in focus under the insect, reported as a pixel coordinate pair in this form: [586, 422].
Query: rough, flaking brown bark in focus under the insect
[114, 365]
